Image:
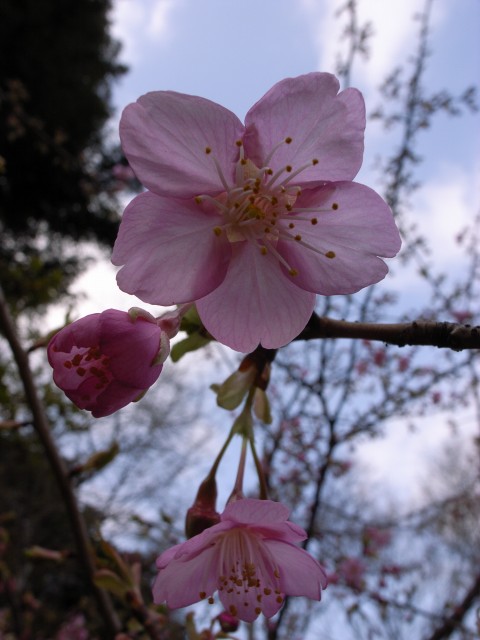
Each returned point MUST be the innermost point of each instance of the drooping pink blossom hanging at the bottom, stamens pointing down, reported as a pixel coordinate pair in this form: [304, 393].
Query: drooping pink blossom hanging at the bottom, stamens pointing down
[250, 557]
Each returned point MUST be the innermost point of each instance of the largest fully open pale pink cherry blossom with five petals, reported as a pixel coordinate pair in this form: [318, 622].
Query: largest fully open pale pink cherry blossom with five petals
[251, 221]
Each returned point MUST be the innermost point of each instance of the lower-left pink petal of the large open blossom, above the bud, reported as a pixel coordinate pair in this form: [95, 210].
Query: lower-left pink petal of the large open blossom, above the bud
[169, 250]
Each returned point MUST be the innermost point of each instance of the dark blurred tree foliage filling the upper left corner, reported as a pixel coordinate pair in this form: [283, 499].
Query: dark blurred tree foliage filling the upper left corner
[57, 64]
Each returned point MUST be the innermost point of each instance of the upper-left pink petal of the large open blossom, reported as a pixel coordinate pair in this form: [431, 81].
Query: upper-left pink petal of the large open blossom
[164, 136]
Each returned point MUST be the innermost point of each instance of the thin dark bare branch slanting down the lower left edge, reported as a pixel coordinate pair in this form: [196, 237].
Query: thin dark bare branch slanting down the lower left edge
[41, 426]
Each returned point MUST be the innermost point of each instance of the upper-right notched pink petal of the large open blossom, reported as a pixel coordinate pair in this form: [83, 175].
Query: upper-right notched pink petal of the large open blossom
[322, 125]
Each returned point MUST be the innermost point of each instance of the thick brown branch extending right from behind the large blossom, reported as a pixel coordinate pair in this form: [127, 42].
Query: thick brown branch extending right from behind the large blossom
[444, 335]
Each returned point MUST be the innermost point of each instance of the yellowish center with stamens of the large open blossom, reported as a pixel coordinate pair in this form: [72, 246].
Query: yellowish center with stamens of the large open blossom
[259, 207]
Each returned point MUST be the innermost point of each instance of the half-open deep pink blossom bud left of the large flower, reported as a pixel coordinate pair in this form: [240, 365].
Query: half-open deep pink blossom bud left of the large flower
[106, 360]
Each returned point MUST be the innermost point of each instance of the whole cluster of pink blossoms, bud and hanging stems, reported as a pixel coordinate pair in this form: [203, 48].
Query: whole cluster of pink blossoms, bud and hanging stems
[248, 222]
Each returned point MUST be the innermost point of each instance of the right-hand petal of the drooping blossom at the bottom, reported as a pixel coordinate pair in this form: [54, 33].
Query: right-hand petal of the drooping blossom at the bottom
[300, 574]
